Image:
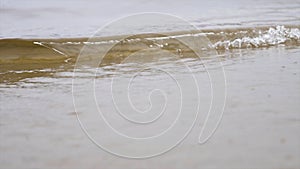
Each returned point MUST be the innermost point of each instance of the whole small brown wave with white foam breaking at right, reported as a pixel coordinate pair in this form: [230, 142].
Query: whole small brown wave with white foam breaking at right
[64, 49]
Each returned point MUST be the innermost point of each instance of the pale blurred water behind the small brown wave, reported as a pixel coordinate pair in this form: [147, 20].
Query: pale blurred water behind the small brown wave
[81, 18]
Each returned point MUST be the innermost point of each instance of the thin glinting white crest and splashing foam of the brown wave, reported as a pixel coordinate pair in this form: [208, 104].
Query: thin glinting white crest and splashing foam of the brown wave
[231, 39]
